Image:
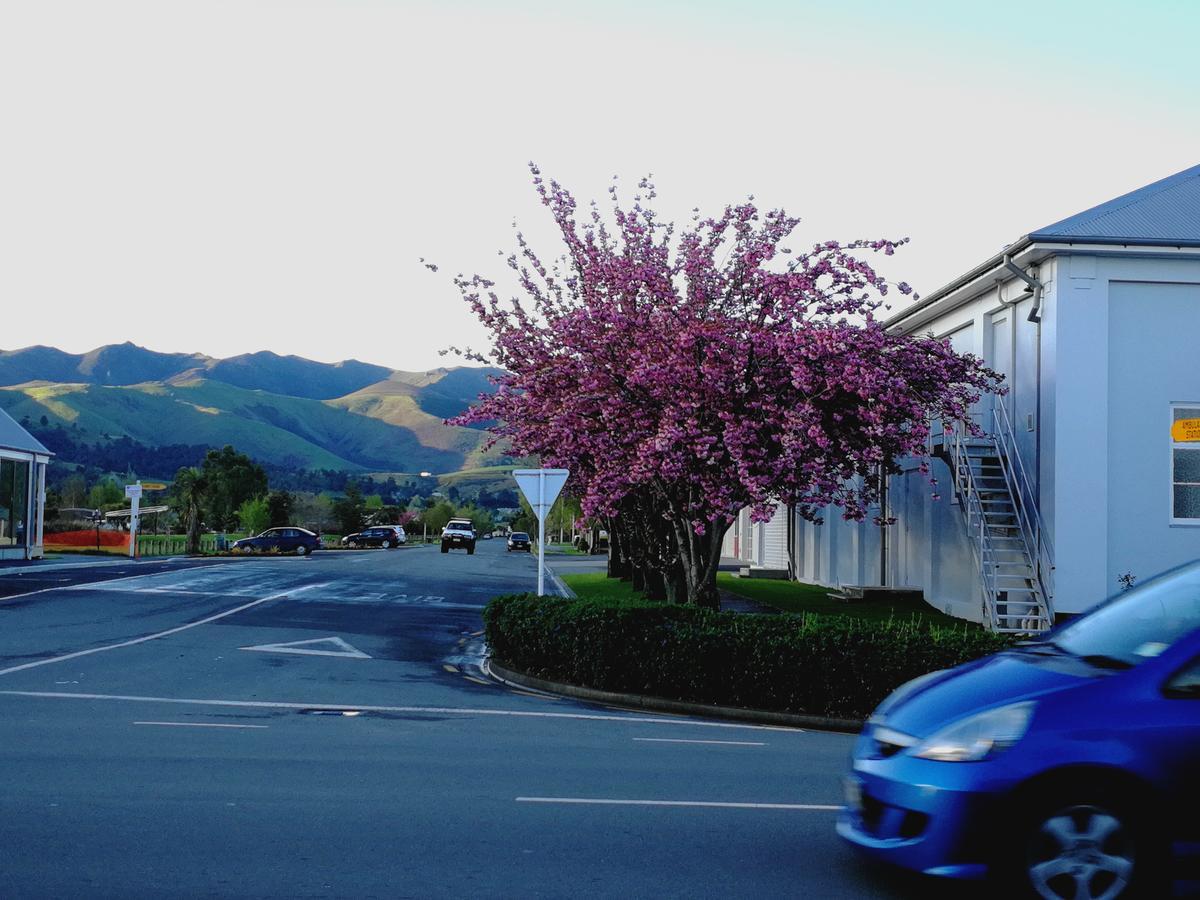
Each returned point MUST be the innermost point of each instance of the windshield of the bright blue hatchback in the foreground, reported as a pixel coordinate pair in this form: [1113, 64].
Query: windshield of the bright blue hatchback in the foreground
[1138, 625]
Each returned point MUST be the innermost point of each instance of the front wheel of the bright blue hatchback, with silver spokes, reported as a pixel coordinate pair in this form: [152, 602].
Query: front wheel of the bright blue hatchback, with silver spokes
[1089, 847]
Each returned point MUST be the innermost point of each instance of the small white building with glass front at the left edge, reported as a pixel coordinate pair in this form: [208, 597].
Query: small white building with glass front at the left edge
[23, 463]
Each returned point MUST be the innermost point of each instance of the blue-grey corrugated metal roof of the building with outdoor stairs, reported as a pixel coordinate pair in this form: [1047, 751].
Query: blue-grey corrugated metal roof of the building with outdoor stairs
[1166, 213]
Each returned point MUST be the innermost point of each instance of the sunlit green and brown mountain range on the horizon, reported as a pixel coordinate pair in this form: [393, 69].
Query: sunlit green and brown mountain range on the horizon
[284, 411]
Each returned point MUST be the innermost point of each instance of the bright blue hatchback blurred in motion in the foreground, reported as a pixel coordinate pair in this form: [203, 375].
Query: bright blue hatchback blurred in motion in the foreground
[1067, 767]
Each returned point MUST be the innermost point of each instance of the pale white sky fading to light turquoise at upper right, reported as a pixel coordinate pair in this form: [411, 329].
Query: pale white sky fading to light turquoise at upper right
[230, 177]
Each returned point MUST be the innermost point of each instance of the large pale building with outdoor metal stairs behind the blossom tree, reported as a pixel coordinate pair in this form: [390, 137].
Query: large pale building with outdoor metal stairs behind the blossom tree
[1090, 470]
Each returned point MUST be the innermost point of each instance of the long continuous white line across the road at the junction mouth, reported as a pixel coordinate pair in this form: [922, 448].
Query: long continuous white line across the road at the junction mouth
[430, 711]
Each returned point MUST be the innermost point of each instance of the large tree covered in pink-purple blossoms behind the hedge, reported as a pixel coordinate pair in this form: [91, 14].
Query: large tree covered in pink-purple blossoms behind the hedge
[683, 376]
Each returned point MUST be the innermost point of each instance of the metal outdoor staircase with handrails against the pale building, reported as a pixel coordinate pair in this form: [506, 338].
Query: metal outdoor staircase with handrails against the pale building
[1004, 526]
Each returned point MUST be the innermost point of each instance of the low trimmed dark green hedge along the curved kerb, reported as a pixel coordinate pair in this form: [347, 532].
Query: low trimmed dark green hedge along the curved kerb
[819, 665]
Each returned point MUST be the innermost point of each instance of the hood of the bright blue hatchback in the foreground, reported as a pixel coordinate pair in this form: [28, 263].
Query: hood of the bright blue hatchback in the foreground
[944, 698]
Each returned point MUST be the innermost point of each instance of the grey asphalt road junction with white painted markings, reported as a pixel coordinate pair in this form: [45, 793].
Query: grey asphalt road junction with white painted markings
[321, 728]
